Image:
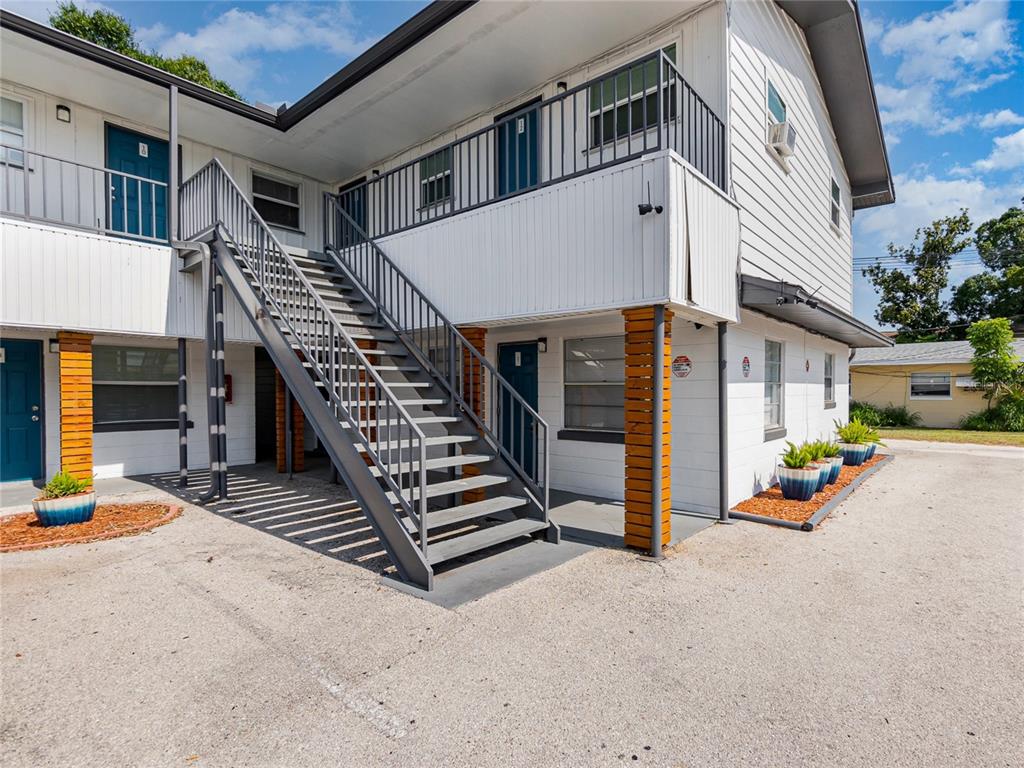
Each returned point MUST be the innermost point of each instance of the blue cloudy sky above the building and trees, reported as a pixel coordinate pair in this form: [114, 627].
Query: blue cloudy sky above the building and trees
[950, 80]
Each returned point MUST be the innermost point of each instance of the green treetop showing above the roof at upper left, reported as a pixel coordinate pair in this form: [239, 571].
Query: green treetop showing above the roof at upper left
[115, 33]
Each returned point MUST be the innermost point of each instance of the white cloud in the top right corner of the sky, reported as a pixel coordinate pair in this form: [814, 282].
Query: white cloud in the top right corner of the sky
[958, 45]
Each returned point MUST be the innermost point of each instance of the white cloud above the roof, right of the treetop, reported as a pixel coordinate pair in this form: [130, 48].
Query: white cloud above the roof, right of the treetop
[233, 42]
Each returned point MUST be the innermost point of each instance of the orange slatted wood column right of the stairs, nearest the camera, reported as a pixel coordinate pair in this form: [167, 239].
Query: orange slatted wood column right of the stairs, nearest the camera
[642, 413]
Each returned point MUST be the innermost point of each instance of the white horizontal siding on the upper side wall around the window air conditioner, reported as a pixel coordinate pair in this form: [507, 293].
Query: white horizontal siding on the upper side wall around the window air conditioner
[787, 232]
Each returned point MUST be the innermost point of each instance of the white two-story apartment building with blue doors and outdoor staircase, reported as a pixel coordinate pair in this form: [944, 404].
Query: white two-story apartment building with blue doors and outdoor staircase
[514, 247]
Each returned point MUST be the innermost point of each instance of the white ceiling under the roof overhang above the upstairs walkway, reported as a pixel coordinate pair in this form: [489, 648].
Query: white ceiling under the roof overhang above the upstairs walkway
[488, 55]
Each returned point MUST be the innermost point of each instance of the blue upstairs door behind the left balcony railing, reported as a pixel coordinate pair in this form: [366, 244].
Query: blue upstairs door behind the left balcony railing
[138, 209]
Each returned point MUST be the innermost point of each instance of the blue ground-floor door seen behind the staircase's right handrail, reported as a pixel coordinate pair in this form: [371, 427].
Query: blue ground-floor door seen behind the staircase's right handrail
[518, 365]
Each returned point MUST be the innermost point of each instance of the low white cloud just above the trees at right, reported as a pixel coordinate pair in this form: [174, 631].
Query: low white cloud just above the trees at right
[922, 200]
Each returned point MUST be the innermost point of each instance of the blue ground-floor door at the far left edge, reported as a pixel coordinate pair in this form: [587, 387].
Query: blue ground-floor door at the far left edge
[21, 410]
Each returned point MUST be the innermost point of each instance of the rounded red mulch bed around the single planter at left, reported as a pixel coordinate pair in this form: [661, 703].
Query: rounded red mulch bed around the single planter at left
[24, 532]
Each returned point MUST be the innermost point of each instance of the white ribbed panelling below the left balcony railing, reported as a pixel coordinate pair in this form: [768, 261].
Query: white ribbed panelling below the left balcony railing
[67, 279]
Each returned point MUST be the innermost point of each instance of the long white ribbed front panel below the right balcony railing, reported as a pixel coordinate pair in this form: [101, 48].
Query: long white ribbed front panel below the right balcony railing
[572, 247]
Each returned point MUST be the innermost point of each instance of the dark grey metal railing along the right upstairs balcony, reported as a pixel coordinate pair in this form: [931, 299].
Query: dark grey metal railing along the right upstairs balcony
[643, 107]
